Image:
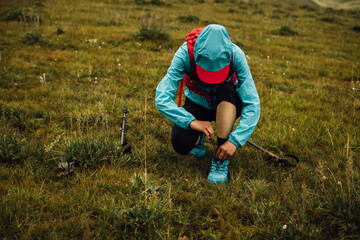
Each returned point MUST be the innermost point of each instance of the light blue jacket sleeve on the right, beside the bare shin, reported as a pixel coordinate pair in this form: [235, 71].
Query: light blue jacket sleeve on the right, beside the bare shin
[250, 99]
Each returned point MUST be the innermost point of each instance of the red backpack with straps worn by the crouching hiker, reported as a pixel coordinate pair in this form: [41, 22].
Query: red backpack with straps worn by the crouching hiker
[191, 80]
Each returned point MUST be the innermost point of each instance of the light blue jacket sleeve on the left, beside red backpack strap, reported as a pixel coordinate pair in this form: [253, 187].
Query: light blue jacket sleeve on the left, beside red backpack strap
[165, 91]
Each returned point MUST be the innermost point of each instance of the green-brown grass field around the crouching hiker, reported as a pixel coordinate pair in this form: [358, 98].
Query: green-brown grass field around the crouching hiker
[68, 68]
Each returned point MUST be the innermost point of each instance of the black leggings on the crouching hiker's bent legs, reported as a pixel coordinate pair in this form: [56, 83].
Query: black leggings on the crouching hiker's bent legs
[183, 140]
